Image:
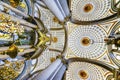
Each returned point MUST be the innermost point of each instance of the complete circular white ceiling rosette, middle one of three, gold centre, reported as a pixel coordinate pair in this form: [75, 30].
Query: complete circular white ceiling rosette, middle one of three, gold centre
[87, 41]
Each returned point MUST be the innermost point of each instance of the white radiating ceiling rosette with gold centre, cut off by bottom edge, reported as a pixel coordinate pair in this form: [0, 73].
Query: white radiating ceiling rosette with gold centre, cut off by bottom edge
[84, 71]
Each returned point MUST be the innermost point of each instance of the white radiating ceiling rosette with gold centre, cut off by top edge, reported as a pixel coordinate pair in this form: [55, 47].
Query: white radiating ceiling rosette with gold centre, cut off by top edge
[88, 10]
